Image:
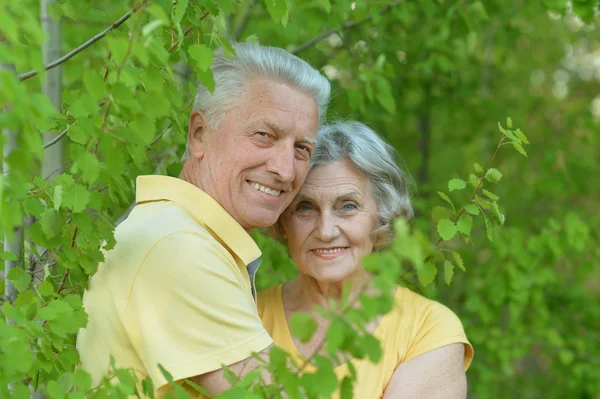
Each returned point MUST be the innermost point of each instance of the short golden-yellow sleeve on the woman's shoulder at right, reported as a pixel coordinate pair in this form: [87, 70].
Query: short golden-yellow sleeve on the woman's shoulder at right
[438, 327]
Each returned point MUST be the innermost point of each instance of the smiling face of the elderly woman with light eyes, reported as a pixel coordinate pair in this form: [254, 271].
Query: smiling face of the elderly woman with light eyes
[328, 225]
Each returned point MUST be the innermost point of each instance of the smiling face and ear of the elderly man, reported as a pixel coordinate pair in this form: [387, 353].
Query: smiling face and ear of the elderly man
[254, 162]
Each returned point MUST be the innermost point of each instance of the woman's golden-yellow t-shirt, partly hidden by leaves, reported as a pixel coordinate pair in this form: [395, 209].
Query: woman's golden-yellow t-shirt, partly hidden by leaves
[414, 326]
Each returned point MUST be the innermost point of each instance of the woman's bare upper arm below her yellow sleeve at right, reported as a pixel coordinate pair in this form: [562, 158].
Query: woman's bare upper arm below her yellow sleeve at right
[436, 374]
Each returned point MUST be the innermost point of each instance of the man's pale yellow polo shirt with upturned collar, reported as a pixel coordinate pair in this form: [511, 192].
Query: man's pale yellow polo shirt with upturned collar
[175, 290]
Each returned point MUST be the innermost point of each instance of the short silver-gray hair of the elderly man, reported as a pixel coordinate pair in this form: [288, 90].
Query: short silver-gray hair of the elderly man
[252, 60]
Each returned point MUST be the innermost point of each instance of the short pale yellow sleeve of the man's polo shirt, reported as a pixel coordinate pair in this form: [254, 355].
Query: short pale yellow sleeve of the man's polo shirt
[190, 310]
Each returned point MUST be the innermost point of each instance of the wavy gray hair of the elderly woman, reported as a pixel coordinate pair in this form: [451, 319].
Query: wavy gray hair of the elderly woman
[377, 161]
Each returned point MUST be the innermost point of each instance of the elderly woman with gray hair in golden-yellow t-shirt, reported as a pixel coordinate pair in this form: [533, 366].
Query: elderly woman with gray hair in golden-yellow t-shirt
[343, 212]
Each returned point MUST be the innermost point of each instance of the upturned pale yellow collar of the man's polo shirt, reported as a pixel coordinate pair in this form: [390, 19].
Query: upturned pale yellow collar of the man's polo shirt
[202, 208]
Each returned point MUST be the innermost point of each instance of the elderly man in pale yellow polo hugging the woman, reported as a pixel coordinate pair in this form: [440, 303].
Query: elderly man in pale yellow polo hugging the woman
[178, 288]
